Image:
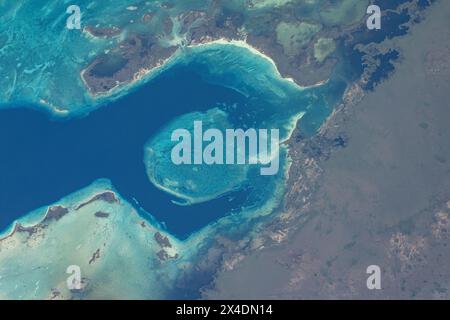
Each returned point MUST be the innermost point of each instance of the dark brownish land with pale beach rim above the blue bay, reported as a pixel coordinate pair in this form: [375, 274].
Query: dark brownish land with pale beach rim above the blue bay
[281, 34]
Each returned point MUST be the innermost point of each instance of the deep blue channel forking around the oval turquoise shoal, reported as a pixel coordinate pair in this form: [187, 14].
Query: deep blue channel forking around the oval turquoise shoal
[43, 160]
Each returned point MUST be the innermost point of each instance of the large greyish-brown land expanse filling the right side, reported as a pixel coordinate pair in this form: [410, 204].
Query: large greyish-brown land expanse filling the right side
[372, 188]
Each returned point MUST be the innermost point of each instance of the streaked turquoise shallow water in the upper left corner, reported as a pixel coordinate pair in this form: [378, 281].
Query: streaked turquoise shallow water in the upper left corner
[42, 59]
